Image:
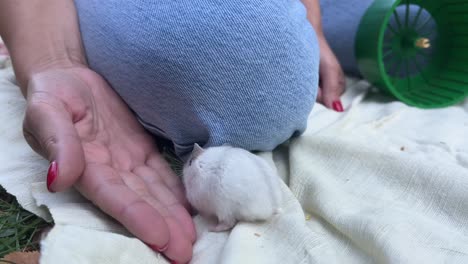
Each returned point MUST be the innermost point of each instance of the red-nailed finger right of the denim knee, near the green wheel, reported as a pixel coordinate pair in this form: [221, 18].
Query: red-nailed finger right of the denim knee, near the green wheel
[333, 85]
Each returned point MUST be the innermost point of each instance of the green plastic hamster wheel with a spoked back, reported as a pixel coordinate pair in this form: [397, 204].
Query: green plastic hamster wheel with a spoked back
[416, 50]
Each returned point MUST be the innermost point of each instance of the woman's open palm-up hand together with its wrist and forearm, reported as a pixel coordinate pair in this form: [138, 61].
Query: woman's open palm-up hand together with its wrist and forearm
[75, 120]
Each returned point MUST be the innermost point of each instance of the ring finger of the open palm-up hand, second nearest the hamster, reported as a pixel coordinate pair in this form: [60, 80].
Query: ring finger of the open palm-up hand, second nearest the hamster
[160, 191]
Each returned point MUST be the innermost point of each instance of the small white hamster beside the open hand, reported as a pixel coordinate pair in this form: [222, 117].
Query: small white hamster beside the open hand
[231, 184]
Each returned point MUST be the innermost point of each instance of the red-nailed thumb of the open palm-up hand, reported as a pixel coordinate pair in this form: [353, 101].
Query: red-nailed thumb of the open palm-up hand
[48, 128]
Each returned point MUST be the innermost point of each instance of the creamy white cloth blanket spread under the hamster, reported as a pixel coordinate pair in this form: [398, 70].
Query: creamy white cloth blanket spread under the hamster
[380, 183]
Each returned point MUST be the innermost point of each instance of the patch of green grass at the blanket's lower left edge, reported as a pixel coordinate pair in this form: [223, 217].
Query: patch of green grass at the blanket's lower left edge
[19, 229]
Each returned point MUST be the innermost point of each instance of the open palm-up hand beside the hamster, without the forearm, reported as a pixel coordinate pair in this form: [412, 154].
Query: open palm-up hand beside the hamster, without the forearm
[75, 120]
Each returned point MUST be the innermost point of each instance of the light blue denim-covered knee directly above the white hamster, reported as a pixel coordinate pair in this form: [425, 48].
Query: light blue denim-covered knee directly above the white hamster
[241, 72]
